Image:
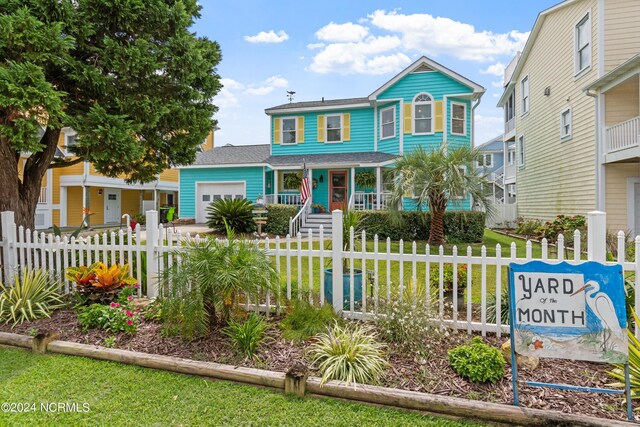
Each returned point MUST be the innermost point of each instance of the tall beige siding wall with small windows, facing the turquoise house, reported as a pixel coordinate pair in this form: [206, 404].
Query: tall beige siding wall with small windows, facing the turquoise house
[559, 175]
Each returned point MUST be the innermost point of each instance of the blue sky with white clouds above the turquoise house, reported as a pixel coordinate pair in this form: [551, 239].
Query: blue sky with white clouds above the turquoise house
[345, 49]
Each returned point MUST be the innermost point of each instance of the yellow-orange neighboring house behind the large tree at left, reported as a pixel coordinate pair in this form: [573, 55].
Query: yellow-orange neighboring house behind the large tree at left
[67, 192]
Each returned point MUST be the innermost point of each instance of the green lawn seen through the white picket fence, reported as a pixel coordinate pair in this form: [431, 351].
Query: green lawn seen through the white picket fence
[398, 279]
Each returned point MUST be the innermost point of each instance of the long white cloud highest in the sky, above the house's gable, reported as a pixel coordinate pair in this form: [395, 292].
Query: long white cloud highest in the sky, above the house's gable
[437, 35]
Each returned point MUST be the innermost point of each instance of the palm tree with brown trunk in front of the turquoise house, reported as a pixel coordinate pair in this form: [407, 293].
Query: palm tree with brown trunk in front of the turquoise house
[436, 178]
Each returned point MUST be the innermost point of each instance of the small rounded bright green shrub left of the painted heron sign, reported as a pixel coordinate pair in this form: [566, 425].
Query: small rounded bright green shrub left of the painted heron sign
[477, 361]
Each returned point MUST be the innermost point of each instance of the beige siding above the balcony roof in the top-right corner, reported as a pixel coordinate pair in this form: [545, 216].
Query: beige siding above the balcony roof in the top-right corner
[622, 31]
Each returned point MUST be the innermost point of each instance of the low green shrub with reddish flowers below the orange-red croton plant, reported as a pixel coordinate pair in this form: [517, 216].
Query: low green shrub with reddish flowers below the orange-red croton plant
[113, 318]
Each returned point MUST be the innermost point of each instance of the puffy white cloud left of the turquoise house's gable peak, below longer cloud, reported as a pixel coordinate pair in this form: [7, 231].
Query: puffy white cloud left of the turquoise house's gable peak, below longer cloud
[373, 55]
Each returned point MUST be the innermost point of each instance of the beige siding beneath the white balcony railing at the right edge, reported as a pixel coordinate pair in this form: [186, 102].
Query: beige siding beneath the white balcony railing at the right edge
[616, 188]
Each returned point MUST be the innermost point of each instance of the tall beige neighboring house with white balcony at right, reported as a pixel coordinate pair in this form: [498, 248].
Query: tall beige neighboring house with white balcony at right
[571, 103]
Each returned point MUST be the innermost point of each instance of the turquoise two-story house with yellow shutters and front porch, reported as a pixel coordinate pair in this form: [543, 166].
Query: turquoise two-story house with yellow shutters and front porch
[345, 144]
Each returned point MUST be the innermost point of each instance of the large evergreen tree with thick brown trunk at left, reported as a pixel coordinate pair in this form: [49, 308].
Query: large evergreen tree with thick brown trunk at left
[127, 75]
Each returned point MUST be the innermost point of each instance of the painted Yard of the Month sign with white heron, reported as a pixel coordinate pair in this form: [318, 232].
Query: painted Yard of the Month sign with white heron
[569, 311]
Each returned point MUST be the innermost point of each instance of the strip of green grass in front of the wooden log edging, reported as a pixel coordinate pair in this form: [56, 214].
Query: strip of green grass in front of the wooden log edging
[121, 395]
